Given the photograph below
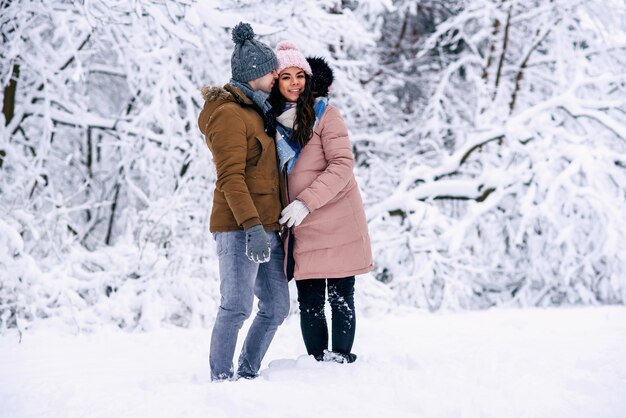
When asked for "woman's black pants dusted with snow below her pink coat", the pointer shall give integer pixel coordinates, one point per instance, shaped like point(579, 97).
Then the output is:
point(312, 298)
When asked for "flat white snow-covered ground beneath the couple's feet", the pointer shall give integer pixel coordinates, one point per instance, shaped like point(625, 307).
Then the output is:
point(499, 363)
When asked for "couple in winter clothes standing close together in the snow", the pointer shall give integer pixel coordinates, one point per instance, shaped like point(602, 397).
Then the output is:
point(277, 142)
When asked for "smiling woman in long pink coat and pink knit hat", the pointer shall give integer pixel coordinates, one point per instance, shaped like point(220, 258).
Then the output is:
point(328, 240)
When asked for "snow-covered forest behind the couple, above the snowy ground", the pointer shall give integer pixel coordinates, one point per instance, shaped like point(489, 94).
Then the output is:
point(489, 136)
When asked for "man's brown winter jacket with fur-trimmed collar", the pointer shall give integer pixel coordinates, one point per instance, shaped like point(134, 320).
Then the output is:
point(247, 187)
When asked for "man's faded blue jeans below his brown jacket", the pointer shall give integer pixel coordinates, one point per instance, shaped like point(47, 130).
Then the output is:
point(240, 280)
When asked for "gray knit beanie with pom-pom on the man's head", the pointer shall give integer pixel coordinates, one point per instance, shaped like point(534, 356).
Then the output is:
point(251, 59)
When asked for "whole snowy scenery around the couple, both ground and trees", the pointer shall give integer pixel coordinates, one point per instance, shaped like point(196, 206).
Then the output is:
point(106, 188)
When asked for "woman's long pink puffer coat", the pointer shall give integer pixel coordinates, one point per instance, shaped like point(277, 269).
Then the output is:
point(333, 240)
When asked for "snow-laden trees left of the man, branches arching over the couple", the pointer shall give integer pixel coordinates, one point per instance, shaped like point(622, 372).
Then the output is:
point(105, 180)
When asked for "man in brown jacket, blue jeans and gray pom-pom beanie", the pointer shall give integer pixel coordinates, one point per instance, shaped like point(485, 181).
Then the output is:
point(246, 208)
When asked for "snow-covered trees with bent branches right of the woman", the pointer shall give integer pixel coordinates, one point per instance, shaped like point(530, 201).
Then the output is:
point(506, 161)
